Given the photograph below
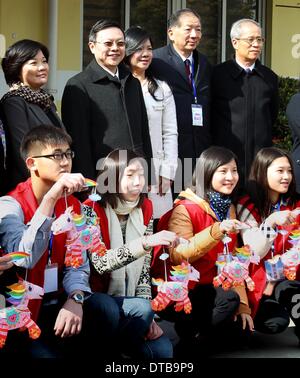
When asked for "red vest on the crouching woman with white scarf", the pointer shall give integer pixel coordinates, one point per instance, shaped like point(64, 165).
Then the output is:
point(100, 283)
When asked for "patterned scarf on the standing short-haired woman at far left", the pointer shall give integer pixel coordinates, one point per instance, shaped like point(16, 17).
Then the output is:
point(39, 97)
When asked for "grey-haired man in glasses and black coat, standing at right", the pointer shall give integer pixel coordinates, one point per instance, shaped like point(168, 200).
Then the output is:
point(244, 97)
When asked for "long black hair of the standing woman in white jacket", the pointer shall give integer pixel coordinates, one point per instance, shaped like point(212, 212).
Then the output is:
point(135, 36)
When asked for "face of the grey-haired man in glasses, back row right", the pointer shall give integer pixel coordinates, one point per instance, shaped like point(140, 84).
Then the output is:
point(244, 52)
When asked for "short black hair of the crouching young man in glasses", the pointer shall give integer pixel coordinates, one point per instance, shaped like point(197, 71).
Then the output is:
point(43, 136)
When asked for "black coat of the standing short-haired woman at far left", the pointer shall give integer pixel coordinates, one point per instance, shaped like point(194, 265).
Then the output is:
point(20, 116)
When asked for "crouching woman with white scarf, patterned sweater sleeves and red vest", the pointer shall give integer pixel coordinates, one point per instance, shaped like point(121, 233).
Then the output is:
point(122, 269)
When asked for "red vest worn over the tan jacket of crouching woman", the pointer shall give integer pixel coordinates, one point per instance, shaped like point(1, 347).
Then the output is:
point(206, 264)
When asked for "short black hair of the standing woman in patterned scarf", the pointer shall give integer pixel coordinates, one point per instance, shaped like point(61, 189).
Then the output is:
point(17, 54)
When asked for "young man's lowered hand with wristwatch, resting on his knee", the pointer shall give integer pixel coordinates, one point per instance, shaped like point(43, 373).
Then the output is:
point(69, 319)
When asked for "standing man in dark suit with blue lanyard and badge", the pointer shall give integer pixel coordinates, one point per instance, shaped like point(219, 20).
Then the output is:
point(188, 74)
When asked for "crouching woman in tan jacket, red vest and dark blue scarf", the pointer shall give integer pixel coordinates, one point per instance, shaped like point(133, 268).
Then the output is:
point(204, 215)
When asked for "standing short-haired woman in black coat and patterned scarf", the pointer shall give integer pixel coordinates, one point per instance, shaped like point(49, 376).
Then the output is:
point(26, 104)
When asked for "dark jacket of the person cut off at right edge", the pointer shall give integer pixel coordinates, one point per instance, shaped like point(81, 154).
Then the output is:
point(293, 115)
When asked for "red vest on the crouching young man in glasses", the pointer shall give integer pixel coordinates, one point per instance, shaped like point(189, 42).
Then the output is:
point(24, 195)
